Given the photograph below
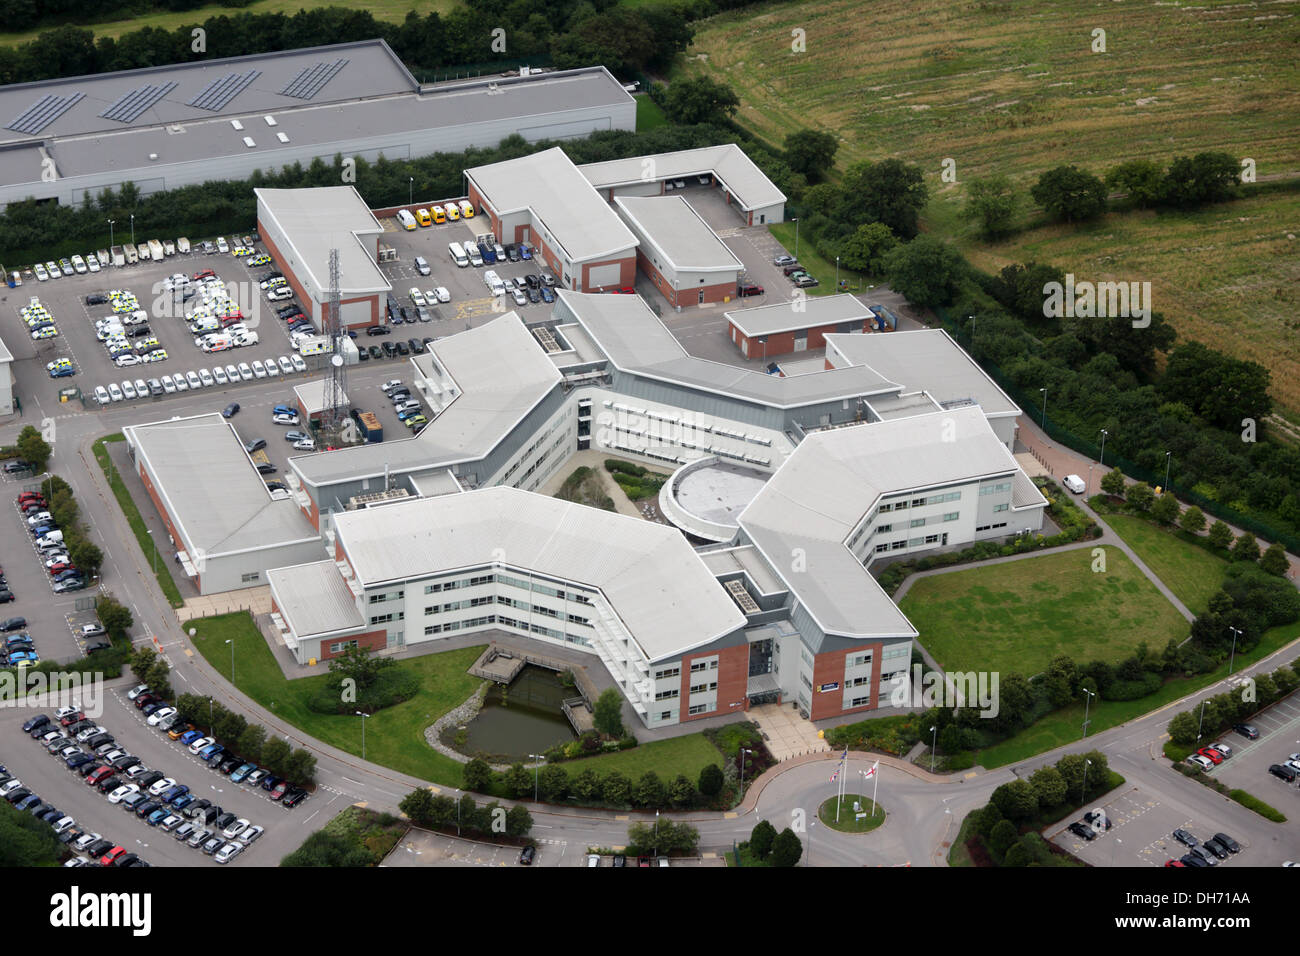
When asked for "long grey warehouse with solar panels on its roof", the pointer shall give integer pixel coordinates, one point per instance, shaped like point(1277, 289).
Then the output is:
point(223, 119)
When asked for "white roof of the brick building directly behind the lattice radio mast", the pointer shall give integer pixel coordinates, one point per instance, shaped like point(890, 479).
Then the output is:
point(319, 219)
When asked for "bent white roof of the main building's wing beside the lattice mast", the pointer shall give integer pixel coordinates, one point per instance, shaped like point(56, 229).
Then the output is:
point(501, 374)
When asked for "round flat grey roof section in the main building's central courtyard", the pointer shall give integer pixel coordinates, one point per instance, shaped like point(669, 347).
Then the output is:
point(705, 499)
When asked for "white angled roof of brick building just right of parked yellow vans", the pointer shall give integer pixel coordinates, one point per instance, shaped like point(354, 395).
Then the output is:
point(561, 200)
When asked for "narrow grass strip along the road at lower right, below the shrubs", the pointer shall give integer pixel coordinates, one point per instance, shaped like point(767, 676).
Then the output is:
point(1067, 725)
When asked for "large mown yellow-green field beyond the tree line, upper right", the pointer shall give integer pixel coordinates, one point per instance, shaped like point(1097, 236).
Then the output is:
point(1015, 88)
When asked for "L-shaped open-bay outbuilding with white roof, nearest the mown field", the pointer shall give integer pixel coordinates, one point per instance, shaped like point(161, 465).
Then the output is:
point(756, 198)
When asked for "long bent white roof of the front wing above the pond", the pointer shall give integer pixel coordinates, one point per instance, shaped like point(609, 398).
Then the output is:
point(655, 582)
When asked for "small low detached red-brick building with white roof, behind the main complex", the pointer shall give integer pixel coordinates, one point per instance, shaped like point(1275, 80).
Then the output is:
point(799, 326)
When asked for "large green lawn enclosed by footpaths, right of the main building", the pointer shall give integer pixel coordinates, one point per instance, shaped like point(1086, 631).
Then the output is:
point(1019, 616)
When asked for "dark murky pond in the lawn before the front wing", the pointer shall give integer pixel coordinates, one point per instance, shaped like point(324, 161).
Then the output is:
point(518, 720)
